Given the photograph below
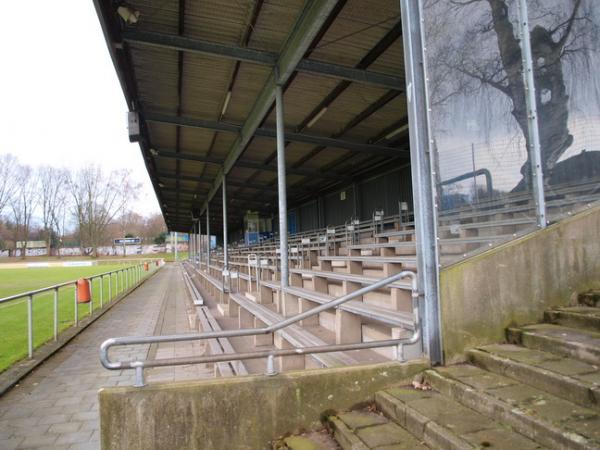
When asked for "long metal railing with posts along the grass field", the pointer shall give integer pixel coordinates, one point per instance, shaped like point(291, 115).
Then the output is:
point(129, 276)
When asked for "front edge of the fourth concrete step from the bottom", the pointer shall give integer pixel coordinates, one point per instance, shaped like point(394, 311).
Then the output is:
point(562, 386)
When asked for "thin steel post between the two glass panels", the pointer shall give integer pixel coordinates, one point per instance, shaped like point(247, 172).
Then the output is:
point(535, 153)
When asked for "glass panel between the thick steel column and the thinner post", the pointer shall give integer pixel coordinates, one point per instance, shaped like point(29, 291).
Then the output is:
point(478, 124)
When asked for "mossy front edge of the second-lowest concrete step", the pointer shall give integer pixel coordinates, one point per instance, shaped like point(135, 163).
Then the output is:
point(433, 434)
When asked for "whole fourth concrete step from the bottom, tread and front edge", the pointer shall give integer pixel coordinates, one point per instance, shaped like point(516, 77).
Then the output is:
point(567, 378)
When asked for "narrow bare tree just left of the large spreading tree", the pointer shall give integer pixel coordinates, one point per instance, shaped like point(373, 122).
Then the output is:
point(52, 184)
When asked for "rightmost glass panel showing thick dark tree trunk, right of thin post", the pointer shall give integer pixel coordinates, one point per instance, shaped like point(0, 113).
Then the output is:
point(565, 43)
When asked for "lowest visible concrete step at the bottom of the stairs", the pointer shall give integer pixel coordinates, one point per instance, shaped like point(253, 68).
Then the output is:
point(364, 430)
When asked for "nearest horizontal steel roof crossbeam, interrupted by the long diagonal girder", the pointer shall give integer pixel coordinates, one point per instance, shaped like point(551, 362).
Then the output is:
point(181, 43)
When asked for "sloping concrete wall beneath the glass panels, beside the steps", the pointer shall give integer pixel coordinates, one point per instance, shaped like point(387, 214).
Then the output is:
point(514, 283)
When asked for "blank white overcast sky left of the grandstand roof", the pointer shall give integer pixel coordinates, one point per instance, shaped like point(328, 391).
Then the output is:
point(60, 99)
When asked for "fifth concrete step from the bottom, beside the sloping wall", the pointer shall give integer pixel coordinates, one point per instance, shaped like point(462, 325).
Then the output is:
point(581, 344)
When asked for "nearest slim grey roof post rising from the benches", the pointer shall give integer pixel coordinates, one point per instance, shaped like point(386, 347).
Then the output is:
point(282, 194)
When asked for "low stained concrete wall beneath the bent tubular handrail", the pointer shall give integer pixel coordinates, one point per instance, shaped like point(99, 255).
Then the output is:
point(237, 413)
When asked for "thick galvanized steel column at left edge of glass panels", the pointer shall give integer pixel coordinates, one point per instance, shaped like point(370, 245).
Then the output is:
point(422, 178)
